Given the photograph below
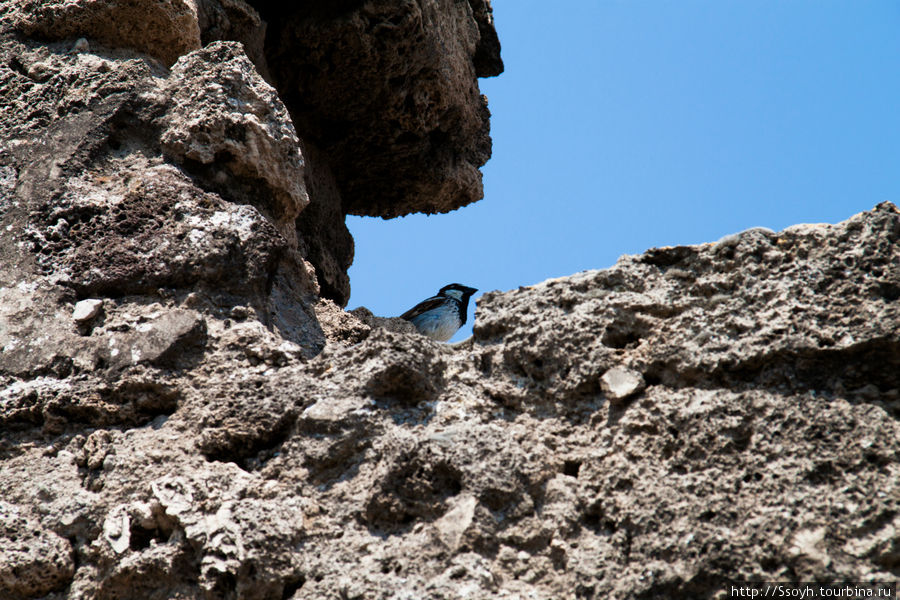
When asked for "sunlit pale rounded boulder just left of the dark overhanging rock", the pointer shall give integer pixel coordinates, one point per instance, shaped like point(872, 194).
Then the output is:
point(222, 112)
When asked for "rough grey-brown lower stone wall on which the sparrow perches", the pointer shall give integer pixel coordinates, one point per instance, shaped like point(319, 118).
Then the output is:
point(224, 463)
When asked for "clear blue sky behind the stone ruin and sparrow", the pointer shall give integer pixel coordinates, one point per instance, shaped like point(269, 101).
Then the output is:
point(623, 125)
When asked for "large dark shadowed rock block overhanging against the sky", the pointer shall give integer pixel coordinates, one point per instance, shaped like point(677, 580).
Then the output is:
point(389, 92)
